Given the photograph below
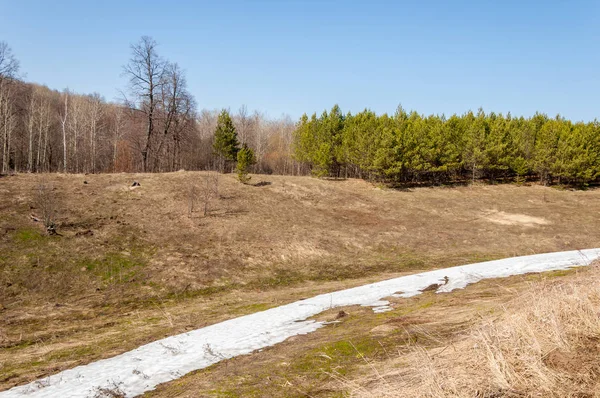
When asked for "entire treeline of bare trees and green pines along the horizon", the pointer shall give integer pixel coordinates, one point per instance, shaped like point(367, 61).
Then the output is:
point(157, 128)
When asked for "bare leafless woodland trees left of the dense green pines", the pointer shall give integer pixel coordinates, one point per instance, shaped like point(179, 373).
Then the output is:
point(157, 128)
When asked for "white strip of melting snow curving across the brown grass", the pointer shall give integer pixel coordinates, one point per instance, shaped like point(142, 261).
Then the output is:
point(142, 369)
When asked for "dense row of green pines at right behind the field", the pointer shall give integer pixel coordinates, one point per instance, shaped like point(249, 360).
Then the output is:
point(412, 148)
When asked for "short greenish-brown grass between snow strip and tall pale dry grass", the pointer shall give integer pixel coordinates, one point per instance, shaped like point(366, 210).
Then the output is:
point(364, 351)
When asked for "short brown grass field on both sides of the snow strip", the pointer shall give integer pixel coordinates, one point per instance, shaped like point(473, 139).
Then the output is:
point(135, 264)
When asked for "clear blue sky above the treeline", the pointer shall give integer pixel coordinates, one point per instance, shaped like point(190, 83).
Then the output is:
point(304, 56)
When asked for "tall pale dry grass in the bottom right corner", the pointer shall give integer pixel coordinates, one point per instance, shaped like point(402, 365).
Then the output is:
point(543, 343)
